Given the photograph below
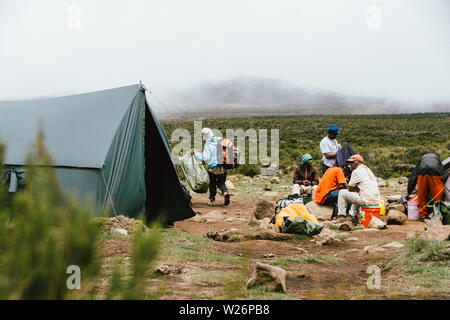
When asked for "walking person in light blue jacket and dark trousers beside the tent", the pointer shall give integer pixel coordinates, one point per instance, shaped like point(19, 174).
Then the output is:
point(217, 173)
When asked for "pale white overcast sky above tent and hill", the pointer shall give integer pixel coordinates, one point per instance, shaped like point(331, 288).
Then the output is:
point(397, 49)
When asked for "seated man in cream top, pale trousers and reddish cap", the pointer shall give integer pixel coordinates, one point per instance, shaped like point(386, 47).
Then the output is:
point(362, 189)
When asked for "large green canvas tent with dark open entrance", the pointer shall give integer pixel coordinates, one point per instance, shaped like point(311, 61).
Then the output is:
point(107, 144)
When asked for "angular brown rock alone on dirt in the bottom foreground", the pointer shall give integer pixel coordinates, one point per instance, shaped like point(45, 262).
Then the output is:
point(270, 277)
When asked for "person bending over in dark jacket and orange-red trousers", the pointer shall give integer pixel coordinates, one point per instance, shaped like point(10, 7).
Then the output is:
point(427, 175)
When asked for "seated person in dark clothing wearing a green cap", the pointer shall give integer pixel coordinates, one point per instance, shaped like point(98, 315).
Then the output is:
point(306, 177)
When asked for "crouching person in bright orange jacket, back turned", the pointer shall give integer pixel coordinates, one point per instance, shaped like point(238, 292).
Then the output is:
point(332, 182)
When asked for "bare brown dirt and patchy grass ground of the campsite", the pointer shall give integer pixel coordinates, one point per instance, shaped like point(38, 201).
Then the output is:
point(219, 270)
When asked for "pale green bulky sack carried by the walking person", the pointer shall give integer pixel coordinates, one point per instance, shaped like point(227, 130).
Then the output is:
point(196, 175)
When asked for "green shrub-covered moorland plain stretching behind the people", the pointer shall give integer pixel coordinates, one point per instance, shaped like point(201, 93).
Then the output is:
point(388, 142)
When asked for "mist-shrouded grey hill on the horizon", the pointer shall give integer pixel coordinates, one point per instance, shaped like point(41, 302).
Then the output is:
point(253, 96)
